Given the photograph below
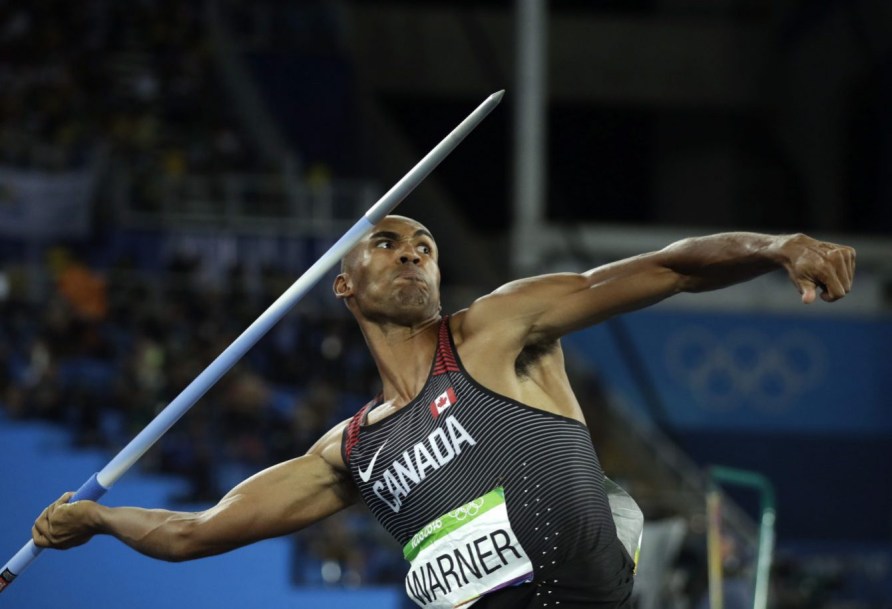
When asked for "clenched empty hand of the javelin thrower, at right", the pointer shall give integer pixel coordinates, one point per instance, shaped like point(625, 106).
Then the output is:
point(813, 265)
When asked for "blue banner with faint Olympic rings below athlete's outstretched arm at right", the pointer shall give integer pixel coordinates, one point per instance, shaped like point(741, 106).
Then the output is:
point(752, 372)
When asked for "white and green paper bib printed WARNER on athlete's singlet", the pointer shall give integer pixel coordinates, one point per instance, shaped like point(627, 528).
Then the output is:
point(464, 554)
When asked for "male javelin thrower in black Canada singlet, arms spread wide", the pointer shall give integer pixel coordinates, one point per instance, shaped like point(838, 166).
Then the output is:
point(475, 455)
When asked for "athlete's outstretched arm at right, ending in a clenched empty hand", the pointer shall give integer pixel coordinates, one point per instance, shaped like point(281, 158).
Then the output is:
point(547, 307)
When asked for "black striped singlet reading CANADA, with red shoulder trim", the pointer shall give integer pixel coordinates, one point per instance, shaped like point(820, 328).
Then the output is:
point(457, 441)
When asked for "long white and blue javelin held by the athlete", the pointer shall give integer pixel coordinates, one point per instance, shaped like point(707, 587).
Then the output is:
point(102, 481)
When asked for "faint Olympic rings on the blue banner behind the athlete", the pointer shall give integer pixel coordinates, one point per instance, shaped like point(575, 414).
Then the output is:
point(745, 367)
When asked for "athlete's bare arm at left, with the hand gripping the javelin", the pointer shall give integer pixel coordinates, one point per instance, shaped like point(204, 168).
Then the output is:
point(279, 500)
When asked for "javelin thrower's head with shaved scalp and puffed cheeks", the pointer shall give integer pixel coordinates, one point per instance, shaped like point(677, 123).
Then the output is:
point(393, 274)
